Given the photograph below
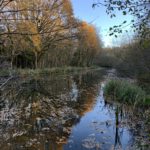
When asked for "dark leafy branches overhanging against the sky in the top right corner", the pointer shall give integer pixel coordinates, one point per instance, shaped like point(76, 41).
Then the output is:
point(139, 9)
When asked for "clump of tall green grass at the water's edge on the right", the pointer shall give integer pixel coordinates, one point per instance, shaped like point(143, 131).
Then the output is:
point(126, 92)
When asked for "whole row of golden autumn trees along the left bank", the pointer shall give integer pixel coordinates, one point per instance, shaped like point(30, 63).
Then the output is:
point(44, 34)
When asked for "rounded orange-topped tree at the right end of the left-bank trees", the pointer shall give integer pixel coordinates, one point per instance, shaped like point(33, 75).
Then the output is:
point(88, 45)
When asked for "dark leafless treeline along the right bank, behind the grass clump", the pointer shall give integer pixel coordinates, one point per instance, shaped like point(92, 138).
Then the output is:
point(130, 60)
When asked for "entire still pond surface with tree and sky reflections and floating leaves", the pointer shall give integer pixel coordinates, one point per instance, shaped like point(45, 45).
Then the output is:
point(66, 112)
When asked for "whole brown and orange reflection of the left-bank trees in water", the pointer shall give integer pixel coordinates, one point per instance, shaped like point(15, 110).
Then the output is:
point(44, 110)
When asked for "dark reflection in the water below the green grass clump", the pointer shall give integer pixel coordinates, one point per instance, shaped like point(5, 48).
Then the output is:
point(133, 119)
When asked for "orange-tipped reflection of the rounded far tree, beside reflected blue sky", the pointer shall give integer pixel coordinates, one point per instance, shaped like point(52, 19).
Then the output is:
point(88, 86)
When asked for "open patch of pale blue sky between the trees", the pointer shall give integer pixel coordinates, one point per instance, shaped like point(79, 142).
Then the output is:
point(98, 17)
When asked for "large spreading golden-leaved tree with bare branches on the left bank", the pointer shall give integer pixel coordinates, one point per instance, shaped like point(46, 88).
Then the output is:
point(41, 24)
